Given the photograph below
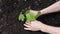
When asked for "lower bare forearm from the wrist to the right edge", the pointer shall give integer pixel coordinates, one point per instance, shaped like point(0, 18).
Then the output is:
point(50, 29)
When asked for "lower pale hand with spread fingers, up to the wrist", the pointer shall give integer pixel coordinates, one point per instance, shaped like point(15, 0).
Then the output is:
point(33, 26)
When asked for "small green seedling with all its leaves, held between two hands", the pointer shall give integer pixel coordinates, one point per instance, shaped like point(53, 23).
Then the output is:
point(29, 16)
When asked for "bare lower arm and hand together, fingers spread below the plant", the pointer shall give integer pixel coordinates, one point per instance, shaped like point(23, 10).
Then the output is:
point(37, 25)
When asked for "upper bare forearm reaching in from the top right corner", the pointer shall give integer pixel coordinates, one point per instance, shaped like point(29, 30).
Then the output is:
point(53, 8)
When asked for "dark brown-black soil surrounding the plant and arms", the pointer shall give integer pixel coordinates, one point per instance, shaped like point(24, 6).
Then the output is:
point(10, 9)
